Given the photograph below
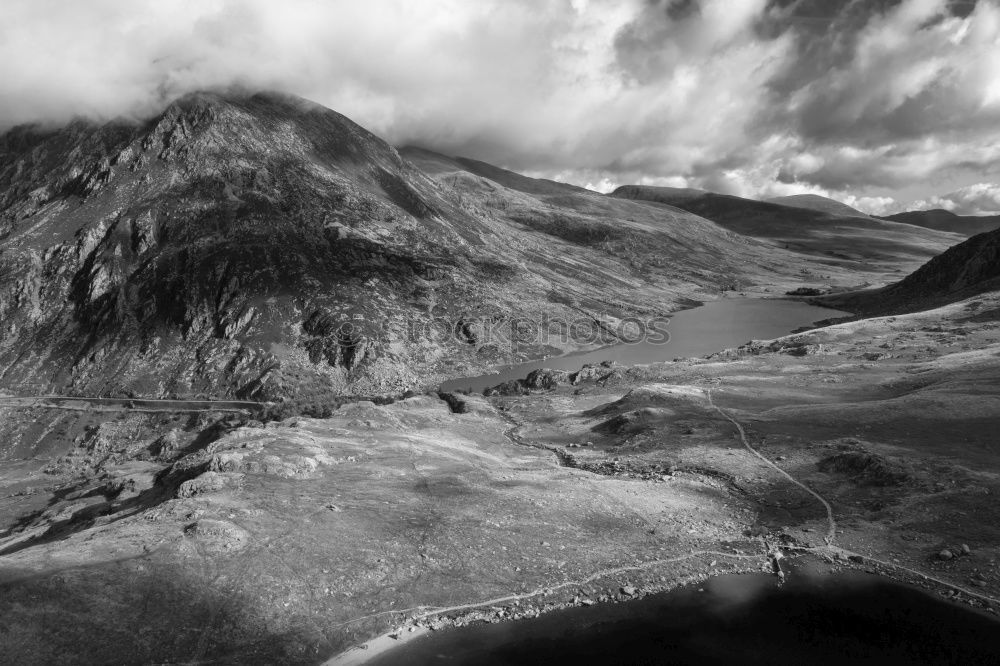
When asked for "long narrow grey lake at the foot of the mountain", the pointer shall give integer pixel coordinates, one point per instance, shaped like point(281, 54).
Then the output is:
point(703, 330)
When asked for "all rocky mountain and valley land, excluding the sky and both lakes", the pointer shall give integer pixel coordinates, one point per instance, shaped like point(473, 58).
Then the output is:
point(190, 471)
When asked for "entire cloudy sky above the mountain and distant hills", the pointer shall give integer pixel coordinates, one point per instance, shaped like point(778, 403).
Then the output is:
point(883, 104)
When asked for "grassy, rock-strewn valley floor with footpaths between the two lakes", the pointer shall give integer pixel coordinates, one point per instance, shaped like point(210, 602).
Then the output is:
point(869, 444)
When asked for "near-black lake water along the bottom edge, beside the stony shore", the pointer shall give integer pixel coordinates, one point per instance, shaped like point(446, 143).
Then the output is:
point(831, 619)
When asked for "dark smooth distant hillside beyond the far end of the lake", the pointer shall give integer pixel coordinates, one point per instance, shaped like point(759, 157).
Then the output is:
point(862, 242)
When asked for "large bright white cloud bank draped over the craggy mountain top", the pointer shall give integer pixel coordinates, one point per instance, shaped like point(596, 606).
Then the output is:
point(532, 85)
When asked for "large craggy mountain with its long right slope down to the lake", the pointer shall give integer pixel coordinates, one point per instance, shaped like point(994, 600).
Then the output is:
point(264, 246)
